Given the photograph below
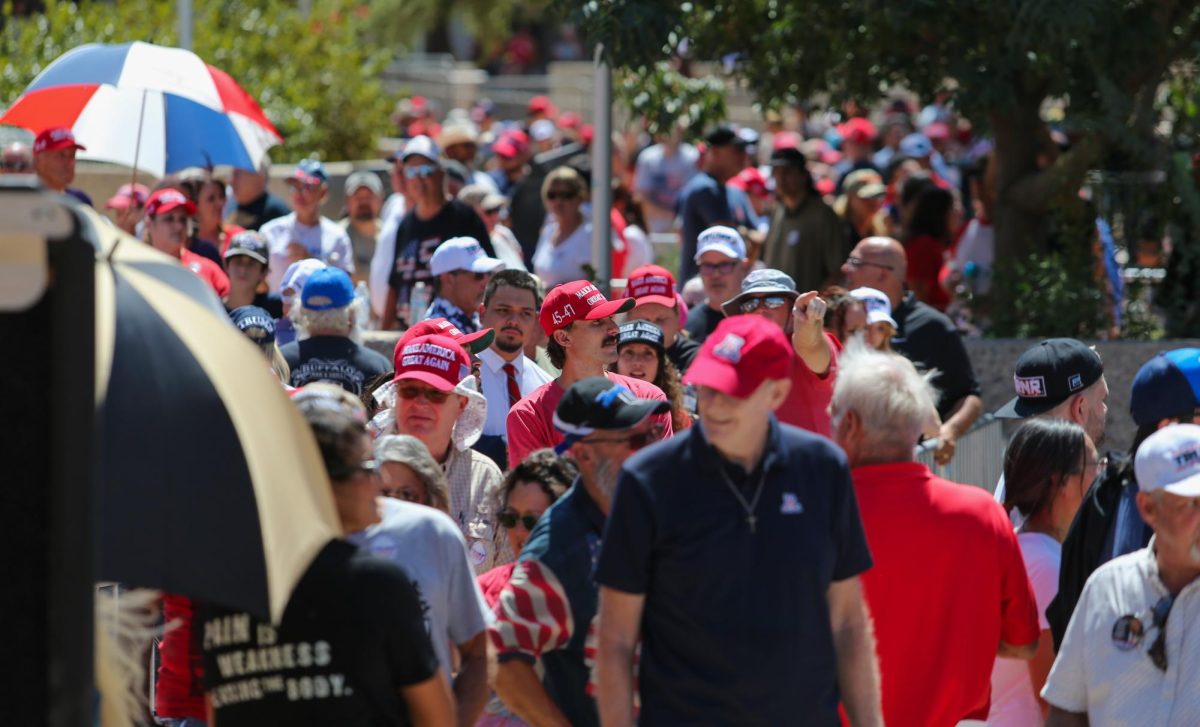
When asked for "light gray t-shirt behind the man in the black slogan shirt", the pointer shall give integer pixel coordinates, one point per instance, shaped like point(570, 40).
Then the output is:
point(429, 546)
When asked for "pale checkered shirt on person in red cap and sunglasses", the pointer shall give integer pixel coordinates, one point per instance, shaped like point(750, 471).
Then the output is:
point(475, 488)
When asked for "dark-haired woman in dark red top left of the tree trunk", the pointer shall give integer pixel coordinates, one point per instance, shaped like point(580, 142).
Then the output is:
point(928, 236)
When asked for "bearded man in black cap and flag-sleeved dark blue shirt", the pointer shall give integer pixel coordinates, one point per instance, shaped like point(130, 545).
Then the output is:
point(547, 611)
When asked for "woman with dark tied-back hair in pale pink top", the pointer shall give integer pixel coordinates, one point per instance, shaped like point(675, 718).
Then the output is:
point(1048, 467)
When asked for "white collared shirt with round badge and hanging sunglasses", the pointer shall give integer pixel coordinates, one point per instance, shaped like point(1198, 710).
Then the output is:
point(1117, 687)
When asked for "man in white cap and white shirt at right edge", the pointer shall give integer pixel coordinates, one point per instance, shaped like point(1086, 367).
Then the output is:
point(1125, 660)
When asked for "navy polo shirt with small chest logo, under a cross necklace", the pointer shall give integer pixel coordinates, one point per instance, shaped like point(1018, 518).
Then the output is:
point(736, 624)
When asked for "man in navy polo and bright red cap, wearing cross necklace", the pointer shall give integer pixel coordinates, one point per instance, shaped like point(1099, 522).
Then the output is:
point(734, 552)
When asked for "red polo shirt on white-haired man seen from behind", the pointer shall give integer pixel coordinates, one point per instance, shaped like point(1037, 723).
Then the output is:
point(947, 587)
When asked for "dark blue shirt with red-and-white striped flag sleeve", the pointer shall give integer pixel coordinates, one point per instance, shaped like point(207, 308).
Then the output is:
point(548, 611)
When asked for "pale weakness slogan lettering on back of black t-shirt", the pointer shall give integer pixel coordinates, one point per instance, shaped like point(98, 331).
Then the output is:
point(254, 666)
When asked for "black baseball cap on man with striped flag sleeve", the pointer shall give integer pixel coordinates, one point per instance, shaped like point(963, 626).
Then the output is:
point(597, 405)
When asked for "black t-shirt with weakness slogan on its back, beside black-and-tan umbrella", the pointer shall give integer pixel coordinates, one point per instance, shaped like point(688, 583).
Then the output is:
point(351, 639)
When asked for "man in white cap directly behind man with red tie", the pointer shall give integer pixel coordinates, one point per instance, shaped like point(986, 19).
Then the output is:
point(461, 271)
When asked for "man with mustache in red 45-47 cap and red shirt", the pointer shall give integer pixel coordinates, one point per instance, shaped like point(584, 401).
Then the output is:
point(583, 344)
